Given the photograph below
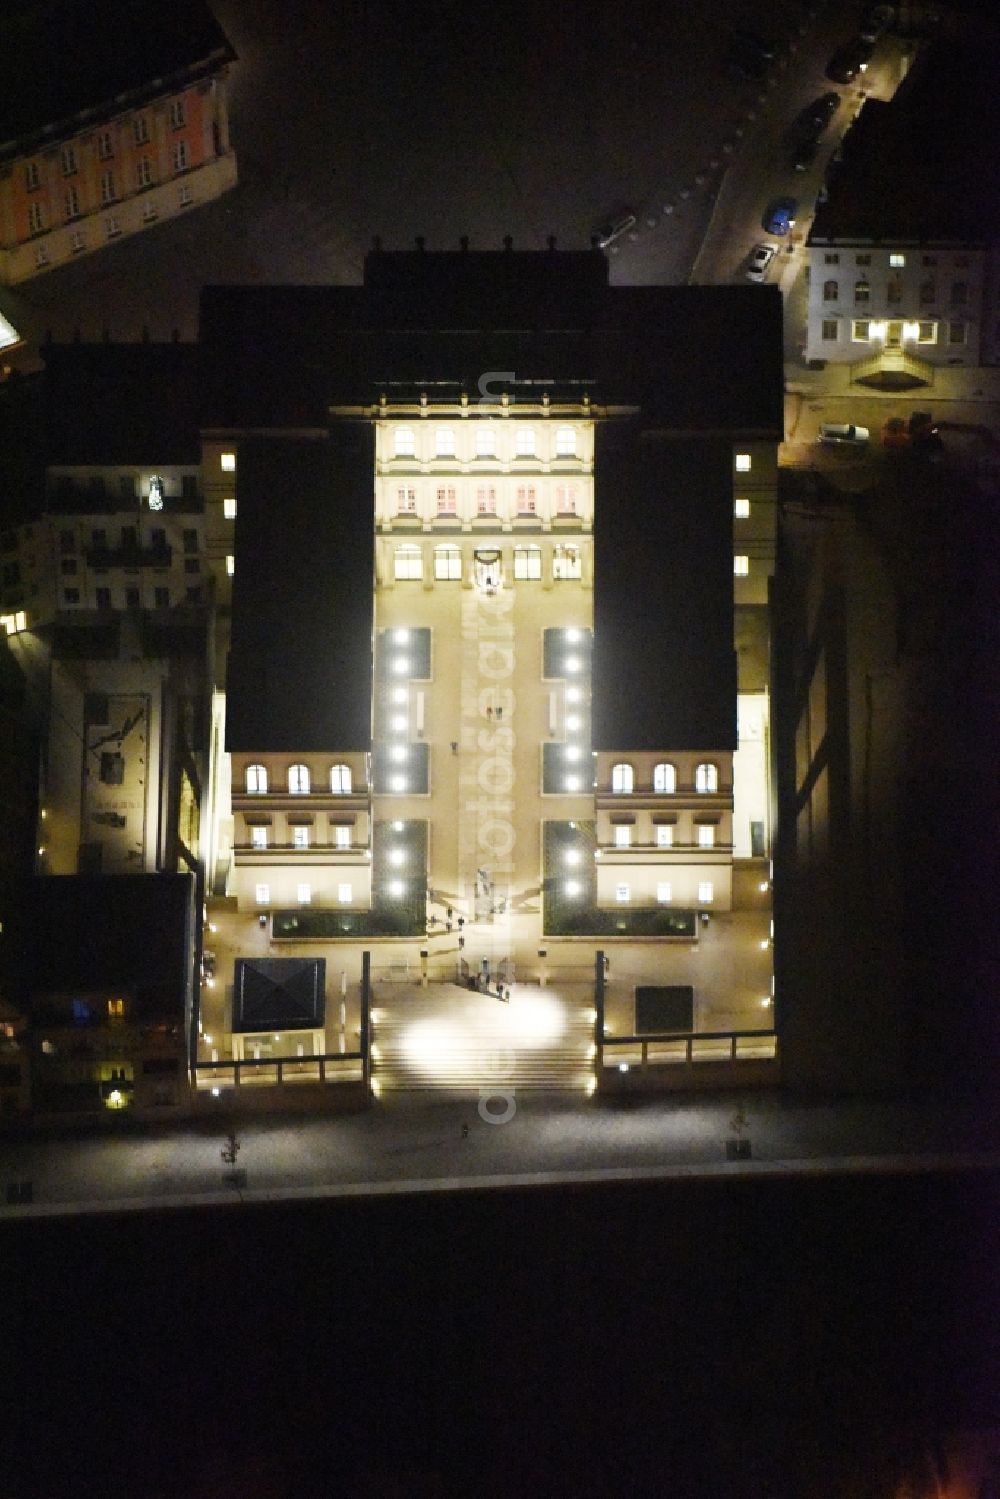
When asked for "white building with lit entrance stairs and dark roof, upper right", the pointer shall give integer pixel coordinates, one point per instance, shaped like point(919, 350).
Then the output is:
point(905, 251)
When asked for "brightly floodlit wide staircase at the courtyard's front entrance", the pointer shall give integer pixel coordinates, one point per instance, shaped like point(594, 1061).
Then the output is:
point(455, 1040)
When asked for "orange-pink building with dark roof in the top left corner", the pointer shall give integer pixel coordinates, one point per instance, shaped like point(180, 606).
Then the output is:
point(94, 152)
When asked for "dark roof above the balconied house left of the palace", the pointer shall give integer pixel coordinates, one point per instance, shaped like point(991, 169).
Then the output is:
point(122, 404)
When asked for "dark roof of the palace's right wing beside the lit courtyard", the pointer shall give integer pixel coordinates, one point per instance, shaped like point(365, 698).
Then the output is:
point(665, 669)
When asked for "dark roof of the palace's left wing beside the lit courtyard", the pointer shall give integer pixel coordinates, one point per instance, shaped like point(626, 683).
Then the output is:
point(301, 660)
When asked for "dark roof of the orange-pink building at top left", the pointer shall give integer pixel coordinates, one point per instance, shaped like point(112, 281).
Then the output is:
point(62, 58)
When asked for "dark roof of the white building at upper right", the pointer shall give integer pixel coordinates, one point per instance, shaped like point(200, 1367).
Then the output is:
point(923, 166)
